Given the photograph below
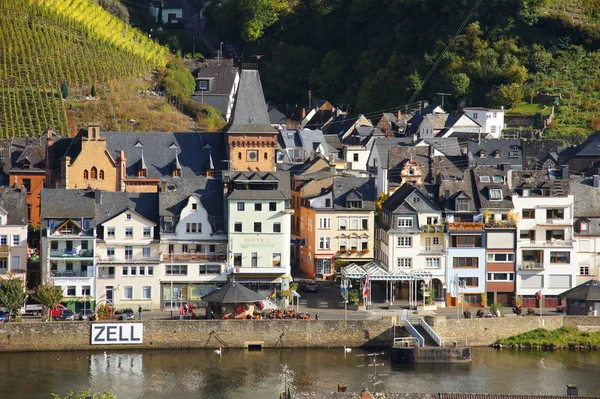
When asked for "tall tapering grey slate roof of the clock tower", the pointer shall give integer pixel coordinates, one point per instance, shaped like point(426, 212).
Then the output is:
point(250, 110)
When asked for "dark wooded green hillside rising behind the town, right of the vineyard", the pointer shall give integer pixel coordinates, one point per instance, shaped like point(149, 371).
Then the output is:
point(373, 55)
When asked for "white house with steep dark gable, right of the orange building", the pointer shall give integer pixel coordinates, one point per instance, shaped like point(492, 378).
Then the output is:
point(410, 237)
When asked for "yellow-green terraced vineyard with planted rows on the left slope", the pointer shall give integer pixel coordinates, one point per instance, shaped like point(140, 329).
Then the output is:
point(44, 43)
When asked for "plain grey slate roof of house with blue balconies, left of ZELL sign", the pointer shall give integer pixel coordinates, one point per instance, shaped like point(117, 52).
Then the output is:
point(62, 204)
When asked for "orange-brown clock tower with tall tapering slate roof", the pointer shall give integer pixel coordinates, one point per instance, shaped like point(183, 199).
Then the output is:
point(251, 140)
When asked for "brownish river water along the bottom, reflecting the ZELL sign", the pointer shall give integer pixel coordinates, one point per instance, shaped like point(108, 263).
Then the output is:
point(262, 375)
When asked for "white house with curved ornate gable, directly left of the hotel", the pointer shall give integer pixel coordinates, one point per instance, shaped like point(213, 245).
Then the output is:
point(192, 239)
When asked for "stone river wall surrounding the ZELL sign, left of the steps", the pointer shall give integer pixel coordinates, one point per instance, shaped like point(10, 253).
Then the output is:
point(164, 334)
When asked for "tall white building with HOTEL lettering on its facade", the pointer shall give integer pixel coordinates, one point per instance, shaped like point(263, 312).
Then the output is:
point(258, 214)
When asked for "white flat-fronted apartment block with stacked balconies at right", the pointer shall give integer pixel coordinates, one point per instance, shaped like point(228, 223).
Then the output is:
point(545, 246)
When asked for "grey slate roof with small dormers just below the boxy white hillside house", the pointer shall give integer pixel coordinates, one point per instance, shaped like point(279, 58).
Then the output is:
point(495, 152)
